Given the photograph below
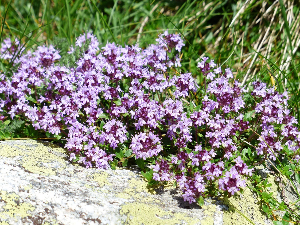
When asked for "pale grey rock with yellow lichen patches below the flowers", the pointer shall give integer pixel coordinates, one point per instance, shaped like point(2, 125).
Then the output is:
point(38, 185)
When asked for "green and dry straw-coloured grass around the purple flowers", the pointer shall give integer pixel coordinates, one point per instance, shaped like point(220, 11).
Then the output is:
point(257, 39)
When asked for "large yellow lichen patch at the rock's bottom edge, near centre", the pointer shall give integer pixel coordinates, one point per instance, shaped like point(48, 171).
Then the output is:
point(141, 213)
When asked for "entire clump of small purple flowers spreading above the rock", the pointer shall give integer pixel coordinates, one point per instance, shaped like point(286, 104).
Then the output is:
point(119, 100)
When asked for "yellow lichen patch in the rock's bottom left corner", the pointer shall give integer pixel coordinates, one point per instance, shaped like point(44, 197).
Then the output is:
point(13, 207)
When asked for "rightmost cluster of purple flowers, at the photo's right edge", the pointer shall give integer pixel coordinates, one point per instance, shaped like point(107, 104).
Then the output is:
point(277, 124)
